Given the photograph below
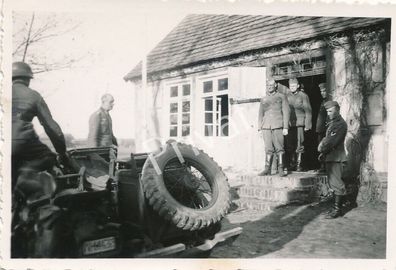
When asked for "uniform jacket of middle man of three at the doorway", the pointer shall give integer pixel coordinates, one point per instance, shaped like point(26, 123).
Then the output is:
point(300, 110)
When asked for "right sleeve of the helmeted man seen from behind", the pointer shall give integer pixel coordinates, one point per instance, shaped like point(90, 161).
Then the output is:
point(52, 129)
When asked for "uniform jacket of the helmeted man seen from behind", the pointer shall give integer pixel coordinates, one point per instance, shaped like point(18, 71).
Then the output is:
point(27, 104)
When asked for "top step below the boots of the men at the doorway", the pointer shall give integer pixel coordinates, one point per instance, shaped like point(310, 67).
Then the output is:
point(295, 180)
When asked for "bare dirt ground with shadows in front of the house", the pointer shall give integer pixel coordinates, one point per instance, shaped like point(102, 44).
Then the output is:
point(301, 231)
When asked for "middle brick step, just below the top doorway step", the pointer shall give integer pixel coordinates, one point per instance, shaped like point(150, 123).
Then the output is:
point(281, 195)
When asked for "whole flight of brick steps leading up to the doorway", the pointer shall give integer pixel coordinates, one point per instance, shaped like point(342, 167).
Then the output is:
point(267, 192)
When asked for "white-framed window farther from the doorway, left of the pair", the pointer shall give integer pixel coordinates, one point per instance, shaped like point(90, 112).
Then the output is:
point(179, 110)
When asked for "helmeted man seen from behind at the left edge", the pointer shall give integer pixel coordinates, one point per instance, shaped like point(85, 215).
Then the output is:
point(27, 149)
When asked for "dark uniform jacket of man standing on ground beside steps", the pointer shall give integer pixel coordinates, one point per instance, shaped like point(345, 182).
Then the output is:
point(333, 144)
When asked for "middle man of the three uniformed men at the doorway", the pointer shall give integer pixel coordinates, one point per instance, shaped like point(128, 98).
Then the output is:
point(300, 121)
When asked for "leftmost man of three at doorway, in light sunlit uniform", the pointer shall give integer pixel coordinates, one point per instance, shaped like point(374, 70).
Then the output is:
point(273, 121)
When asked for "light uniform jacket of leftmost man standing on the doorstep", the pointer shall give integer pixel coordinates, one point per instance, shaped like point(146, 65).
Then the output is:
point(273, 111)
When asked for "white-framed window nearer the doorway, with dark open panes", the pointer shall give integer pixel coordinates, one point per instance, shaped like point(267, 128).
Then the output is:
point(215, 107)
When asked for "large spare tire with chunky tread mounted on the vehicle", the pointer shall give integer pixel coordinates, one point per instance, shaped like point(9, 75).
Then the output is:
point(168, 207)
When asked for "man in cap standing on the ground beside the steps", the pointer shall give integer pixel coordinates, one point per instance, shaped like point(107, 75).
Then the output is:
point(332, 152)
